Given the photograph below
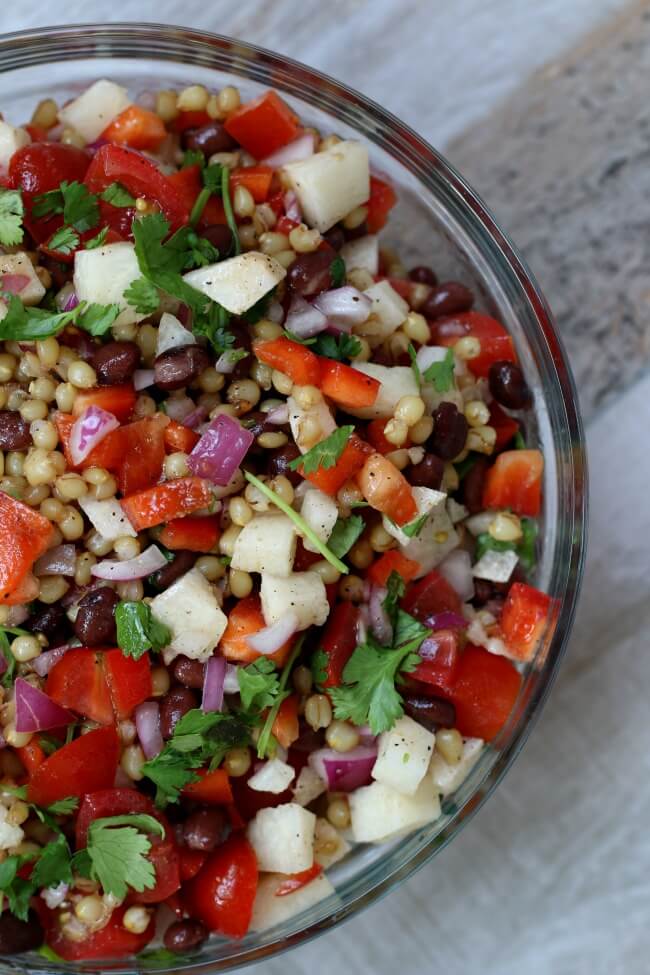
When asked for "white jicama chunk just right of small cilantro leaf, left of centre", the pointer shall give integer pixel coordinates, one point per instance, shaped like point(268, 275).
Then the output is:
point(191, 611)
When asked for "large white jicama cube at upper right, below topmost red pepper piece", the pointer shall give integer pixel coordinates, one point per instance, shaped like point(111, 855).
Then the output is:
point(330, 184)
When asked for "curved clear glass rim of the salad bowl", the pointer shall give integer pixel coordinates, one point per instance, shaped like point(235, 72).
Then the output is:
point(31, 48)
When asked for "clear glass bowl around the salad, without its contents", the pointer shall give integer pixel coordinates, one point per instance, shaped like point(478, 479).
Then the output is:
point(439, 221)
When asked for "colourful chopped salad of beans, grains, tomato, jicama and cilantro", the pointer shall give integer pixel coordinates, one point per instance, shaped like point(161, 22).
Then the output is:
point(268, 509)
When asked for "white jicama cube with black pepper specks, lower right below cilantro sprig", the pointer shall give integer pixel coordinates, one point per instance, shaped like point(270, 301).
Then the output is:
point(404, 755)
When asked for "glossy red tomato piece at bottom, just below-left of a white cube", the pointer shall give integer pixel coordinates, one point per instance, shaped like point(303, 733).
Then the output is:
point(223, 892)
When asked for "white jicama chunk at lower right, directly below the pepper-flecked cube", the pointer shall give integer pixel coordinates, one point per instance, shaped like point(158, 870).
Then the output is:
point(379, 812)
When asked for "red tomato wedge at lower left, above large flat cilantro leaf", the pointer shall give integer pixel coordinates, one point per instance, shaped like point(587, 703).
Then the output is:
point(85, 765)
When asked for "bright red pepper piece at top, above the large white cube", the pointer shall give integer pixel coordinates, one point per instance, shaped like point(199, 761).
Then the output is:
point(263, 125)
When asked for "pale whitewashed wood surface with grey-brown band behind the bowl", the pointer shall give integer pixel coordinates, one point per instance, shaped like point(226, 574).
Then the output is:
point(551, 878)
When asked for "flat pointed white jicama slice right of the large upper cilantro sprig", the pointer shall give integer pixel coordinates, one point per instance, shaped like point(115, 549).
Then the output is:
point(238, 282)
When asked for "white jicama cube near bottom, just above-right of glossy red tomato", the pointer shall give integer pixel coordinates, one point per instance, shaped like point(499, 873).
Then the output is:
point(283, 838)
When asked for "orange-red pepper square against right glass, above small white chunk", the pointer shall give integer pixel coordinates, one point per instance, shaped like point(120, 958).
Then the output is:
point(515, 481)
